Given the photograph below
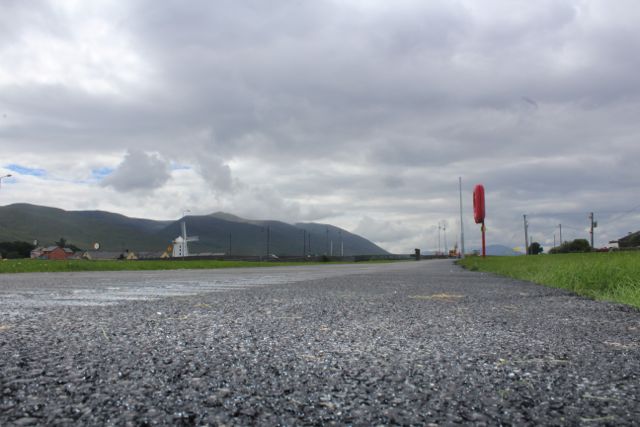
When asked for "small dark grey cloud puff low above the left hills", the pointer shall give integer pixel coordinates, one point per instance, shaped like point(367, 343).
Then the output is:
point(139, 171)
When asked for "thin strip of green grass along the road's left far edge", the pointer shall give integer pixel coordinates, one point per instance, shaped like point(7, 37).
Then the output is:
point(41, 266)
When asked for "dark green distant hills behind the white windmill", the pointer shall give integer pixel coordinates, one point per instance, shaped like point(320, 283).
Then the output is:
point(217, 232)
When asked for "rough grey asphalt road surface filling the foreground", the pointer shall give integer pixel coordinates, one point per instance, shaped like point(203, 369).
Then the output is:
point(413, 343)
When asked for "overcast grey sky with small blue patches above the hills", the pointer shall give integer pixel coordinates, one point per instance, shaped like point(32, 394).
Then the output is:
point(358, 113)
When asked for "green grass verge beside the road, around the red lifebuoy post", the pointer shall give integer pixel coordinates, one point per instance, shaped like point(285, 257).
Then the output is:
point(611, 276)
